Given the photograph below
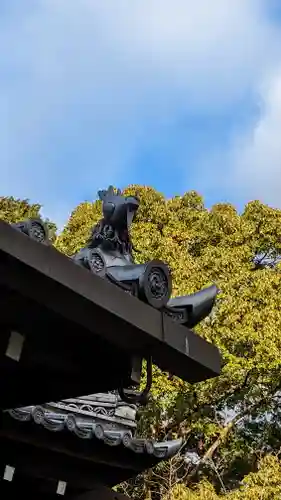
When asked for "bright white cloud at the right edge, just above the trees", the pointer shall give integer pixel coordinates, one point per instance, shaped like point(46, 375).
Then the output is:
point(256, 159)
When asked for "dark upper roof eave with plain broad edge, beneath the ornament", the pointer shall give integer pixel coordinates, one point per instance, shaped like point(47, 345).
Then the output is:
point(79, 331)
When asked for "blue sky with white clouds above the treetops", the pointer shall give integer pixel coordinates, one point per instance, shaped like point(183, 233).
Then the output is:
point(176, 94)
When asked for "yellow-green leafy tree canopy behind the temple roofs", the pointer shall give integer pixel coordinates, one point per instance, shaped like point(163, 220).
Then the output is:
point(230, 424)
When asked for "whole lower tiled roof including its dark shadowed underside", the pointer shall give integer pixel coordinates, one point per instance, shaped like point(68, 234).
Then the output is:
point(79, 441)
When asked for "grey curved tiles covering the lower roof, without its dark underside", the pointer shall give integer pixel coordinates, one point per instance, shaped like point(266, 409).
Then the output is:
point(80, 418)
